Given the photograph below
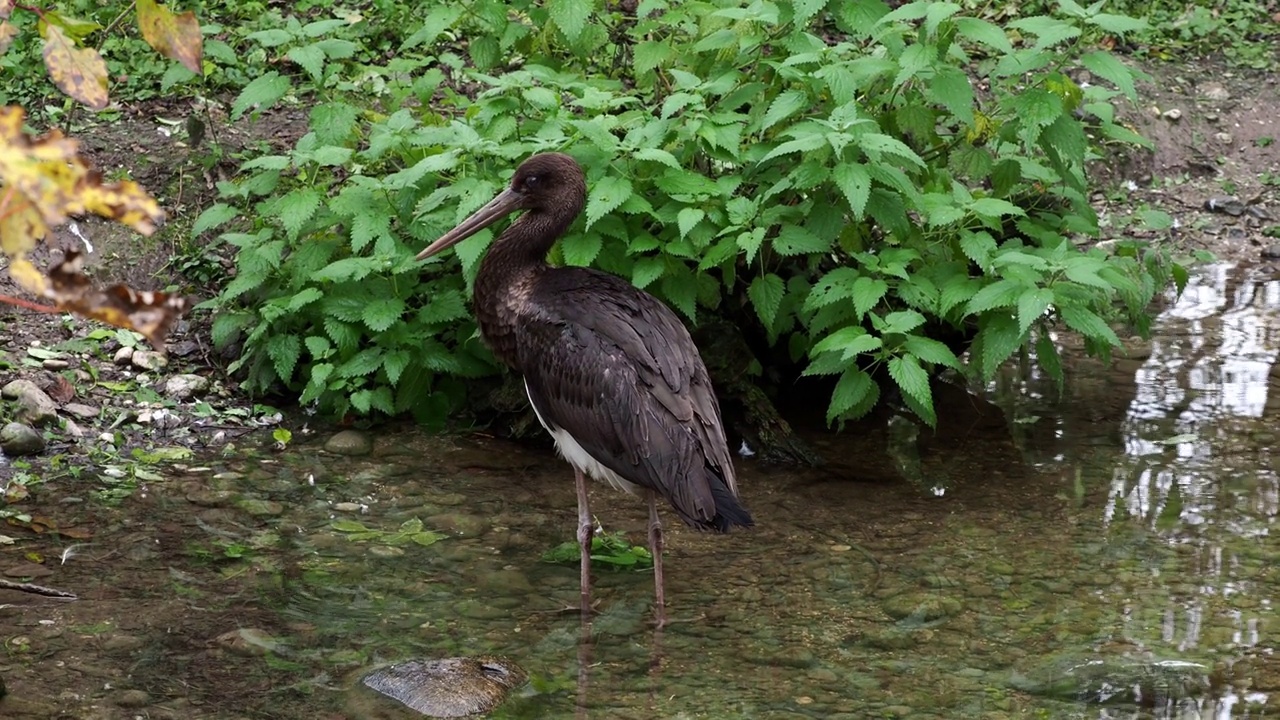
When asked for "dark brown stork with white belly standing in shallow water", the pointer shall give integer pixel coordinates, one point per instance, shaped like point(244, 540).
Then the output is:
point(611, 372)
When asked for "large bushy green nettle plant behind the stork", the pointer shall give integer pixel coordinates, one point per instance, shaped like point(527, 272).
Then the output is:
point(877, 190)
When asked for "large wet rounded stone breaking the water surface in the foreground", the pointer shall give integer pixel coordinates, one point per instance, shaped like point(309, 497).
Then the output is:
point(454, 687)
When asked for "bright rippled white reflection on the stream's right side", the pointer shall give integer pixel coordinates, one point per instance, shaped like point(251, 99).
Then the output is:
point(1212, 498)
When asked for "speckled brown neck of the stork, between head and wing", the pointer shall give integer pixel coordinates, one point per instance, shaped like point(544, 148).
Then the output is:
point(509, 272)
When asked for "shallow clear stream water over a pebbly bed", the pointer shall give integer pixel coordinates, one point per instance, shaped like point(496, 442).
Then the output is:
point(1110, 558)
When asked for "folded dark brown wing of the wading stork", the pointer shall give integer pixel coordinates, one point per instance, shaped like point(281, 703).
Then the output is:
point(618, 371)
